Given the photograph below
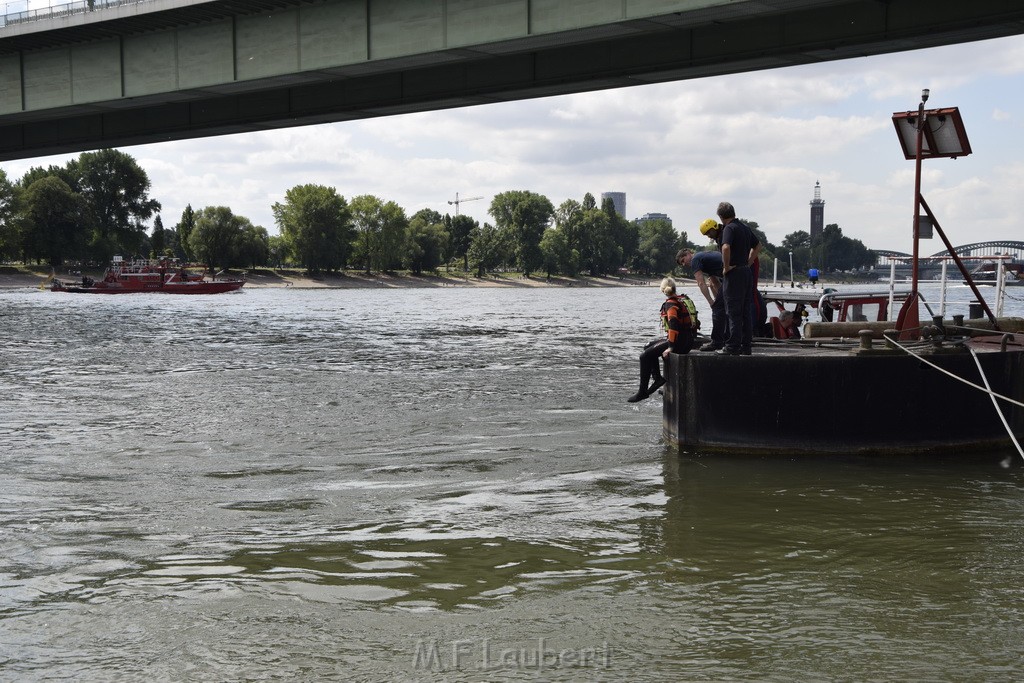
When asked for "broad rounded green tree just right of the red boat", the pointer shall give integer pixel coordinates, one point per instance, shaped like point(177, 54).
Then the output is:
point(317, 223)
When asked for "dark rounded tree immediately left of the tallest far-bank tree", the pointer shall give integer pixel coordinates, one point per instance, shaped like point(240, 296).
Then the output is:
point(53, 215)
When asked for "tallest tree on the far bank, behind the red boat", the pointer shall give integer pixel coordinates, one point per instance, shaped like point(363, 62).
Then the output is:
point(117, 191)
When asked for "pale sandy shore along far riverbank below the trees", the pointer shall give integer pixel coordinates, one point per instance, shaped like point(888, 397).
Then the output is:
point(12, 278)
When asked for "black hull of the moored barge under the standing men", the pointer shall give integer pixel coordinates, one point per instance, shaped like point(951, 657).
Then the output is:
point(820, 402)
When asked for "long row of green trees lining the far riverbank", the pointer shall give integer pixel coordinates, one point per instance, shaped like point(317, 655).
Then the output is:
point(99, 205)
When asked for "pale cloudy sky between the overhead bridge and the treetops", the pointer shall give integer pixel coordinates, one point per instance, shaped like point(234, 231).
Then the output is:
point(760, 141)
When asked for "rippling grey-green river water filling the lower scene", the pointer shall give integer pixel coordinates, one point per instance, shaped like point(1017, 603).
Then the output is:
point(449, 485)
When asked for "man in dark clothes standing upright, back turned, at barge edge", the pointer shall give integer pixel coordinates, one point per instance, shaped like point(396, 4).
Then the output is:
point(740, 249)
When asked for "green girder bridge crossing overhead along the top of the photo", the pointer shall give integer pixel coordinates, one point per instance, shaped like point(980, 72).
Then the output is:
point(177, 69)
